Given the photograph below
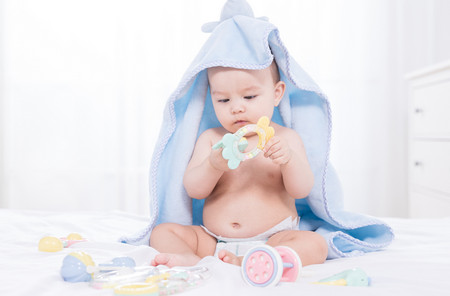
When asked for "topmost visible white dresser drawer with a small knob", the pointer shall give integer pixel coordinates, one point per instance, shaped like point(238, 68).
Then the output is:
point(430, 109)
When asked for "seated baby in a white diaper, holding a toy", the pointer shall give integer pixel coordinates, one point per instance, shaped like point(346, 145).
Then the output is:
point(254, 203)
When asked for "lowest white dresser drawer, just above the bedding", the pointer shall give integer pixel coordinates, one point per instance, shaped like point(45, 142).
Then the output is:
point(424, 205)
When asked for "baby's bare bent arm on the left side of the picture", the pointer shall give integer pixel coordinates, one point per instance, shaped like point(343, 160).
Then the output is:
point(204, 169)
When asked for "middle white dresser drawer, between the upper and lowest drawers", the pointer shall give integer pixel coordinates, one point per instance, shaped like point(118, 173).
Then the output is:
point(430, 164)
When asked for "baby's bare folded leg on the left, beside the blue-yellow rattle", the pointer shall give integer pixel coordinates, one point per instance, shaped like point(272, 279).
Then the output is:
point(180, 245)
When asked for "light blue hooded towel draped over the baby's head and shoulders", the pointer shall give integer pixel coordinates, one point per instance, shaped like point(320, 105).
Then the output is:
point(239, 40)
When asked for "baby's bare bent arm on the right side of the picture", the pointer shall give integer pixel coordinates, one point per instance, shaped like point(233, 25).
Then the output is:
point(290, 154)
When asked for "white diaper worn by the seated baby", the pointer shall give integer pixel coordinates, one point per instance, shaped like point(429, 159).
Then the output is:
point(240, 246)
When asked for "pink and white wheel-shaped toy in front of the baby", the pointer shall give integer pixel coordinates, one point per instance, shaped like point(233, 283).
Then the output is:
point(265, 266)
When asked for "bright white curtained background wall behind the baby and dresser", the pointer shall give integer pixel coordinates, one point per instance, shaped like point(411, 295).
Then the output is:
point(85, 84)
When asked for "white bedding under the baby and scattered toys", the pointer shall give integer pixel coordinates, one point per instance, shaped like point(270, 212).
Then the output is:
point(417, 263)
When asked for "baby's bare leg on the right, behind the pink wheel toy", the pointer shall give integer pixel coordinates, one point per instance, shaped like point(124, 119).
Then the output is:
point(310, 246)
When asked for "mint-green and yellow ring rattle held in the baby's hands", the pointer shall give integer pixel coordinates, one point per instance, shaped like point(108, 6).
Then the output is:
point(234, 144)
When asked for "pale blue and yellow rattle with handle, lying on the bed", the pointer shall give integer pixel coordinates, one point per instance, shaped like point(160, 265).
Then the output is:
point(79, 266)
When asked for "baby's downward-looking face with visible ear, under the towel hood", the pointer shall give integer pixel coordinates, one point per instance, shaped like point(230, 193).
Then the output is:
point(241, 97)
